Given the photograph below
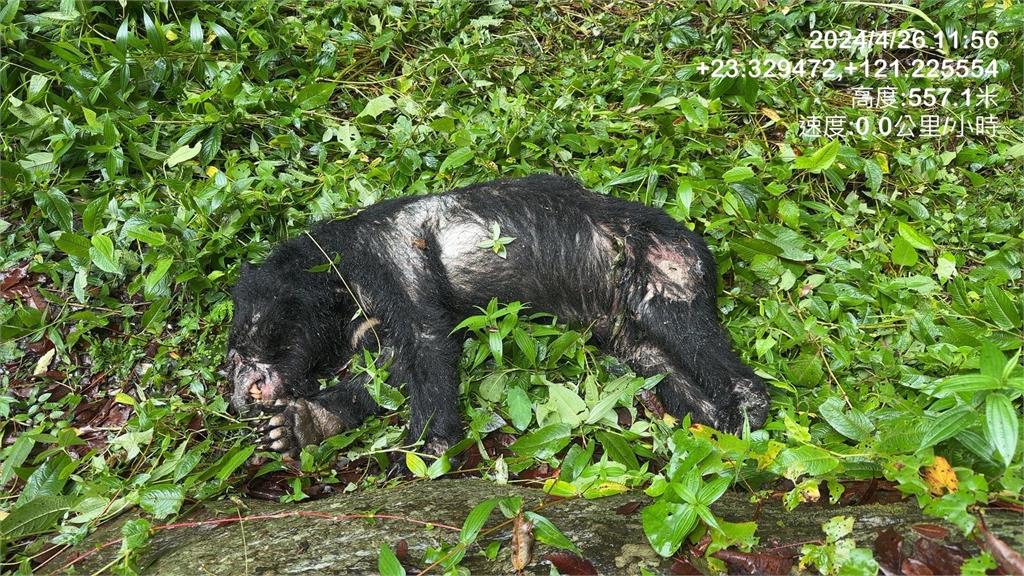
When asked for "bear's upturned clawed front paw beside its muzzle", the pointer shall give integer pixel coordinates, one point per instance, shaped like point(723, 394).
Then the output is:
point(295, 424)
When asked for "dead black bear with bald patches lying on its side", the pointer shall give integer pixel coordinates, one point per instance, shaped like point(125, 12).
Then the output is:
point(408, 271)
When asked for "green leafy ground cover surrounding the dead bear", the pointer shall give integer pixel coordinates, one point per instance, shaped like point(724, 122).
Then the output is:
point(150, 148)
